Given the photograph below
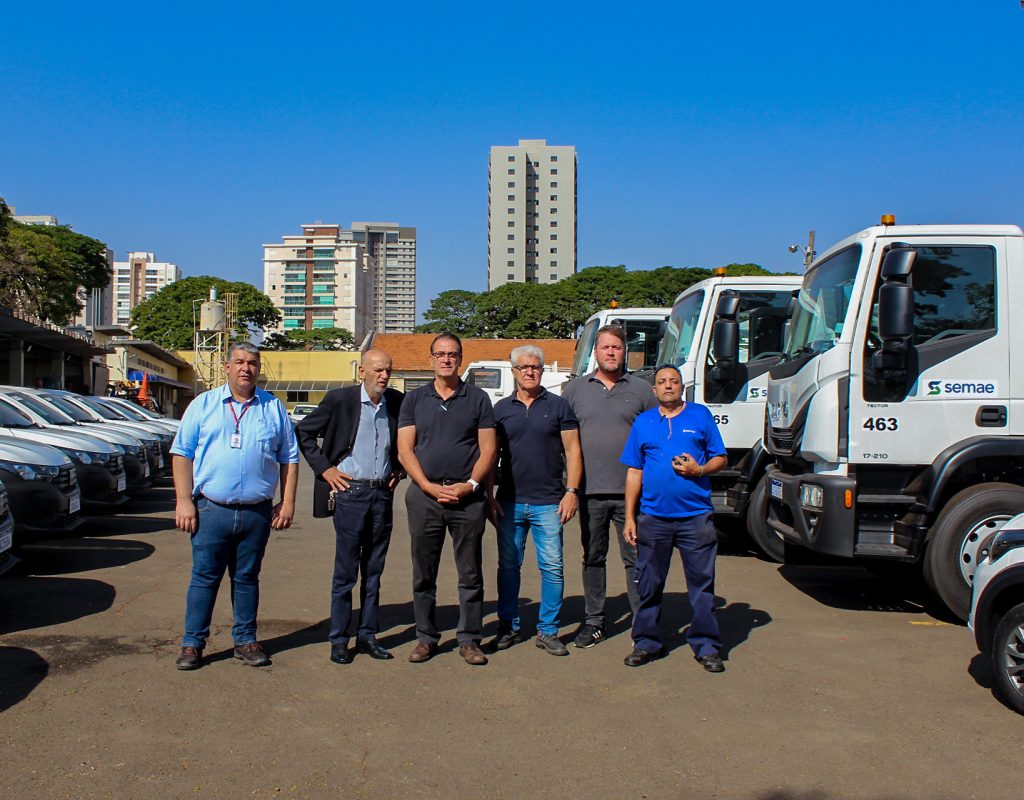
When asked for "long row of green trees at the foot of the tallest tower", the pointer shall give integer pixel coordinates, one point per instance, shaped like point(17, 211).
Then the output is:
point(558, 311)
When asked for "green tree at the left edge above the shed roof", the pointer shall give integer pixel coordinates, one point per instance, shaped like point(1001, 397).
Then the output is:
point(42, 267)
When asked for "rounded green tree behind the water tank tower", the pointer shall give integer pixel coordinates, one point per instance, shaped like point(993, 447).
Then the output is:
point(167, 318)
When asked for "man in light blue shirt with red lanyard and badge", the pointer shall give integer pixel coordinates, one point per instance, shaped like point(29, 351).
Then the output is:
point(235, 445)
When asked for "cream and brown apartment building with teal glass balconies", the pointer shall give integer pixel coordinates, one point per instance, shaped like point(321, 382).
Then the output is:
point(321, 279)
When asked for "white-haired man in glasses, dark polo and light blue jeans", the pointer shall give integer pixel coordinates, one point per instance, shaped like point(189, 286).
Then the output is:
point(538, 438)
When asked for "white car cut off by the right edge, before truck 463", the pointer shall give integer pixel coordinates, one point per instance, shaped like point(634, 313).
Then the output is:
point(998, 611)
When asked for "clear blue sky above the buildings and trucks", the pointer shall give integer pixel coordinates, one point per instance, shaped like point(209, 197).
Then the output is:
point(707, 133)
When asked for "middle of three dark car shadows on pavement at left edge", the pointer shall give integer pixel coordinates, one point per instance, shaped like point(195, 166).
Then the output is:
point(38, 603)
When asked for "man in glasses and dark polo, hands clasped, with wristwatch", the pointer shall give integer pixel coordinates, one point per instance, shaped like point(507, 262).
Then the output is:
point(447, 444)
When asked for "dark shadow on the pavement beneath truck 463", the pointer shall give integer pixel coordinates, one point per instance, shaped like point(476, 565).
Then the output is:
point(852, 588)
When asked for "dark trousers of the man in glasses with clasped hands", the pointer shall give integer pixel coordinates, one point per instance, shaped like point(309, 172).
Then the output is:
point(429, 522)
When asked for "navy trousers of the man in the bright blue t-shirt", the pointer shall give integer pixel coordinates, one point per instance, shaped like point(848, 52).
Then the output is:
point(697, 541)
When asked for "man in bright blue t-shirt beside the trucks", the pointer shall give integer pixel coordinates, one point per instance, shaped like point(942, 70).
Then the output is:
point(670, 453)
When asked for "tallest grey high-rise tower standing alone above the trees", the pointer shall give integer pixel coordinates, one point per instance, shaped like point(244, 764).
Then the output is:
point(532, 214)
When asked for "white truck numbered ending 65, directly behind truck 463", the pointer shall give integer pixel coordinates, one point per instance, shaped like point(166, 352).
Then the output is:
point(724, 333)
